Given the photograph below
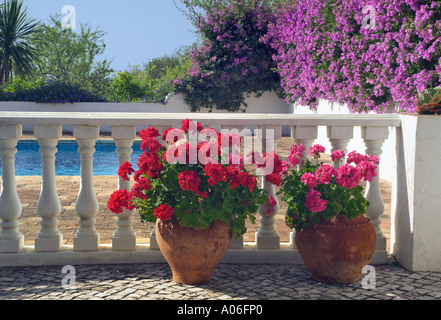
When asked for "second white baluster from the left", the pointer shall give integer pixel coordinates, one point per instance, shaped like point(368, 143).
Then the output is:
point(49, 239)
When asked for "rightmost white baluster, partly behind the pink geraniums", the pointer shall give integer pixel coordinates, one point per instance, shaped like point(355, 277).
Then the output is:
point(374, 138)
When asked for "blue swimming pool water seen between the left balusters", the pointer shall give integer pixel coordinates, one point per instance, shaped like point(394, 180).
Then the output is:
point(67, 161)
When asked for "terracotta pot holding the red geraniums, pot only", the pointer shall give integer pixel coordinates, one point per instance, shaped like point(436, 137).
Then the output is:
point(192, 255)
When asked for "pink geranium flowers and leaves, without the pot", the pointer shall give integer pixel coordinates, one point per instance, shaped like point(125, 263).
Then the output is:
point(315, 191)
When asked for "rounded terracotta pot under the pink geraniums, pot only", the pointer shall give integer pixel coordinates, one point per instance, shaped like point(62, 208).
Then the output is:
point(336, 251)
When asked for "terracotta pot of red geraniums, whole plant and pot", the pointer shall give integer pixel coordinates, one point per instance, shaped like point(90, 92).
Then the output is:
point(197, 192)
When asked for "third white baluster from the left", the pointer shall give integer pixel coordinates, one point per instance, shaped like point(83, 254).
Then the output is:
point(86, 238)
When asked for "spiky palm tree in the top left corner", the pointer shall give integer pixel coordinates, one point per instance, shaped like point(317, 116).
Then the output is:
point(16, 29)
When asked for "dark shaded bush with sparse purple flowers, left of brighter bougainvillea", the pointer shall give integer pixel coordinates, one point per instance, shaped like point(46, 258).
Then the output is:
point(232, 61)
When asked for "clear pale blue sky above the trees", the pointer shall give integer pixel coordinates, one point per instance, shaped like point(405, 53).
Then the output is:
point(137, 30)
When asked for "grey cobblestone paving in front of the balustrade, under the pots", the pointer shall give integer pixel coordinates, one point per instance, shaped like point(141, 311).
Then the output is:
point(229, 282)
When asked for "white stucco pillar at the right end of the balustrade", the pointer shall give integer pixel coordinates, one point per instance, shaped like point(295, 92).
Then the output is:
point(416, 200)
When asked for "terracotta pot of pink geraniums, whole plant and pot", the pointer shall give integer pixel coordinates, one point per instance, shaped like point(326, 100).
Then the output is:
point(326, 208)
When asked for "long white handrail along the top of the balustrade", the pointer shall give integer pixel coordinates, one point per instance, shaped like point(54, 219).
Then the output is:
point(165, 119)
